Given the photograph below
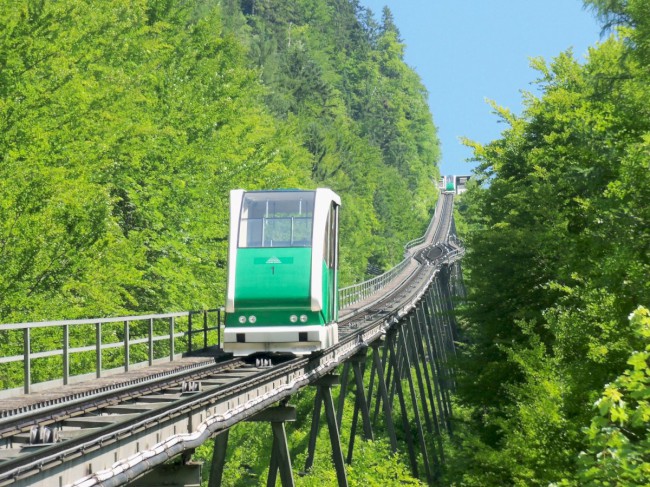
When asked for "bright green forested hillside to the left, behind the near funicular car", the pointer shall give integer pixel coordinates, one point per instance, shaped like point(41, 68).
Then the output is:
point(124, 124)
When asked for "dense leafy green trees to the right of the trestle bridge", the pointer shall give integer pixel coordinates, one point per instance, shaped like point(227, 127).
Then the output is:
point(554, 376)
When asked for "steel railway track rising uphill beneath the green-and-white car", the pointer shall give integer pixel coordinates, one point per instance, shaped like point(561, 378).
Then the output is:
point(49, 435)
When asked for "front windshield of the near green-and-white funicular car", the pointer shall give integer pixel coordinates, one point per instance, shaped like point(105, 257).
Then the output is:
point(276, 219)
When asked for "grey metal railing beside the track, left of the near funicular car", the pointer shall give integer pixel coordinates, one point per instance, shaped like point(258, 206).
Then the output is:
point(100, 345)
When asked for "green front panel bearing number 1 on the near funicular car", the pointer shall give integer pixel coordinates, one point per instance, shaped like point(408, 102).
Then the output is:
point(273, 277)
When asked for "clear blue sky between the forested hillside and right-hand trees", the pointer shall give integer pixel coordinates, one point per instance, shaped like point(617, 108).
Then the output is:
point(467, 51)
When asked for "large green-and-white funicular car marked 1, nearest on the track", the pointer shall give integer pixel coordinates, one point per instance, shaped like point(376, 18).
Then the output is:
point(282, 291)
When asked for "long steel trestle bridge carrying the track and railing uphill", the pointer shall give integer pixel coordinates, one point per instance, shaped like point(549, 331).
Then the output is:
point(397, 329)
